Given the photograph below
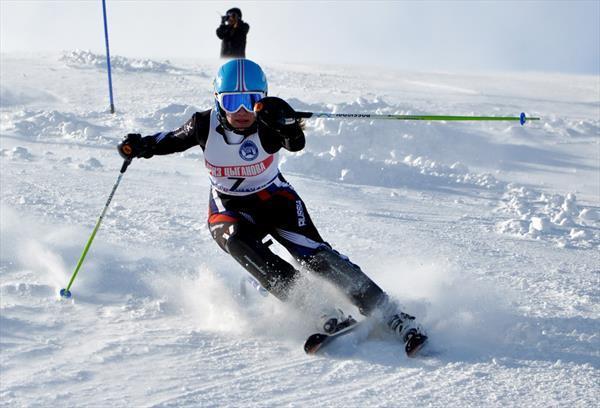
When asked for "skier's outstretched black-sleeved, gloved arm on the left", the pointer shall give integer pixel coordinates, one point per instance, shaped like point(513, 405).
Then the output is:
point(193, 132)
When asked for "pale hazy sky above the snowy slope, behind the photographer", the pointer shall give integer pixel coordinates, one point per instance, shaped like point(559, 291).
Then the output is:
point(450, 36)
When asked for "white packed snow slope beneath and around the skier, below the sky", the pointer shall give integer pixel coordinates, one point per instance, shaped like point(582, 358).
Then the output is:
point(488, 232)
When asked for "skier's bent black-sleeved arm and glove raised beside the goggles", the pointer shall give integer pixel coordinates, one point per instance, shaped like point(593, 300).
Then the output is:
point(278, 125)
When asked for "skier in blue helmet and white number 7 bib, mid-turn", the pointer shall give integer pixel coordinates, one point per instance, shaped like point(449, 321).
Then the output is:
point(250, 198)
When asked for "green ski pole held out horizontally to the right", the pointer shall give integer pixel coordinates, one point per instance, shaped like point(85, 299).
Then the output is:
point(521, 118)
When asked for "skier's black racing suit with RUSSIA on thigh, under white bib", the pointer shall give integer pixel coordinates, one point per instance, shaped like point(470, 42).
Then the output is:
point(239, 225)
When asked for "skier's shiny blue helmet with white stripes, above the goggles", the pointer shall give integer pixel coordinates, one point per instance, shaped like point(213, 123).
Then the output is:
point(238, 75)
